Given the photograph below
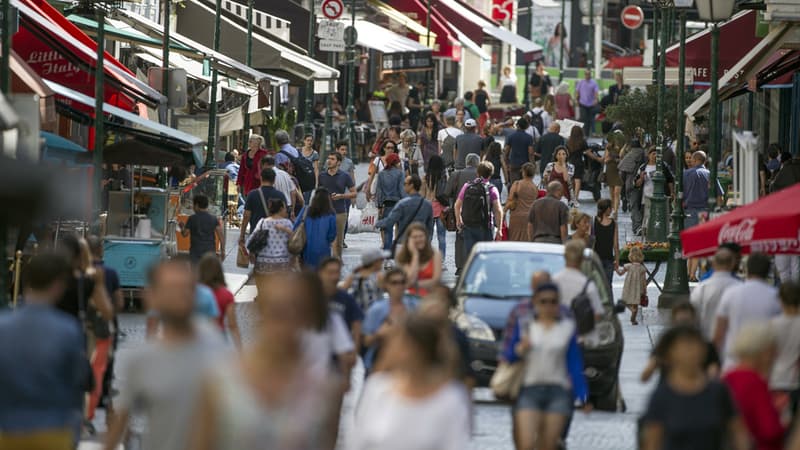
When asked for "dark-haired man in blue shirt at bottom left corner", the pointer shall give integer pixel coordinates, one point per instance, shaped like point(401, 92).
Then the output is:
point(44, 370)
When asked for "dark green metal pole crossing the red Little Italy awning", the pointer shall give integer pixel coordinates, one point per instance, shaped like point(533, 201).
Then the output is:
point(99, 134)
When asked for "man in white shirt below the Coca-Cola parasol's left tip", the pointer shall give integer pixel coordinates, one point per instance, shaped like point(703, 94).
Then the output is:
point(707, 295)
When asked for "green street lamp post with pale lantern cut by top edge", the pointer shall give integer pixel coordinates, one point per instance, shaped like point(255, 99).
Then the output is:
point(714, 11)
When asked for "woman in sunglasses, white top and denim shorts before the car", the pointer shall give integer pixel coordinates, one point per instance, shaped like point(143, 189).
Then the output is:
point(553, 371)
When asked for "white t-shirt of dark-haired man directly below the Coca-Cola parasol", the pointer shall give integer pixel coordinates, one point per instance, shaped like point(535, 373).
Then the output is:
point(752, 301)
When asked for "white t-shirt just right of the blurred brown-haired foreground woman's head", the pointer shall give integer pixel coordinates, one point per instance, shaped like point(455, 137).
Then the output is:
point(319, 347)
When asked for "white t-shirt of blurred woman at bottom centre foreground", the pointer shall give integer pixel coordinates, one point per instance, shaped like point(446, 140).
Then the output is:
point(386, 420)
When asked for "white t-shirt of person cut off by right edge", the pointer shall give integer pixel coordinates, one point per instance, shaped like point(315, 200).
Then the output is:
point(785, 371)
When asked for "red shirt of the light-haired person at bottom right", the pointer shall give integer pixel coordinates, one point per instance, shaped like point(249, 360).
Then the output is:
point(751, 394)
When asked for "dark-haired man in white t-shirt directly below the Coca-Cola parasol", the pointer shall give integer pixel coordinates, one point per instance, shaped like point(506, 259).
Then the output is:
point(752, 301)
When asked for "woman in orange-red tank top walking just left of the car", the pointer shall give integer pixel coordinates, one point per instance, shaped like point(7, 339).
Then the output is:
point(421, 262)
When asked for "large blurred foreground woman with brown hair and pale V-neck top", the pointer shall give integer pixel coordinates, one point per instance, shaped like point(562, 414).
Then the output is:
point(270, 397)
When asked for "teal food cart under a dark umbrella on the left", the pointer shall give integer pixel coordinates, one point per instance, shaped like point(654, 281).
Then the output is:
point(140, 229)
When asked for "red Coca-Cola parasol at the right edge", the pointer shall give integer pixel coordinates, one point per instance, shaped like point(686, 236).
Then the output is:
point(770, 225)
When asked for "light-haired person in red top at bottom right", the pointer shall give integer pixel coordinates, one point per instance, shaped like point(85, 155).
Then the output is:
point(754, 348)
